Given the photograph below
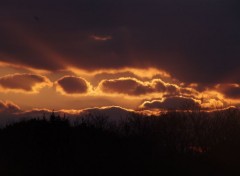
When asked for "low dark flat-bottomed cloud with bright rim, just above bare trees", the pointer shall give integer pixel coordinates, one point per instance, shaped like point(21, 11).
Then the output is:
point(172, 103)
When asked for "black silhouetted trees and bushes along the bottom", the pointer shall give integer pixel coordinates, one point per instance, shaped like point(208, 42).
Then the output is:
point(172, 144)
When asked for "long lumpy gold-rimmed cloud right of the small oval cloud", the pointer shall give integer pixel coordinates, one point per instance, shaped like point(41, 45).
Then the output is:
point(135, 87)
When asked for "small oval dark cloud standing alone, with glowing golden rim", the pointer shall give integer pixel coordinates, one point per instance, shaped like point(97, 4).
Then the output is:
point(73, 85)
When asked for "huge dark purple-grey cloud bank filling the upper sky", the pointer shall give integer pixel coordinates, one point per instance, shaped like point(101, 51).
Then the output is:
point(196, 41)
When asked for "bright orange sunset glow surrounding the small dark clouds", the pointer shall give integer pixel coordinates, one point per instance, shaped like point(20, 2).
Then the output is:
point(155, 84)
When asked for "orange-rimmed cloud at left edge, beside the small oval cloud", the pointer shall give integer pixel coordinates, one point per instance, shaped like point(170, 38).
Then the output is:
point(24, 82)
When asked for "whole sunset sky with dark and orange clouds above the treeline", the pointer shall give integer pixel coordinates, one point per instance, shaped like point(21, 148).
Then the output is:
point(142, 55)
